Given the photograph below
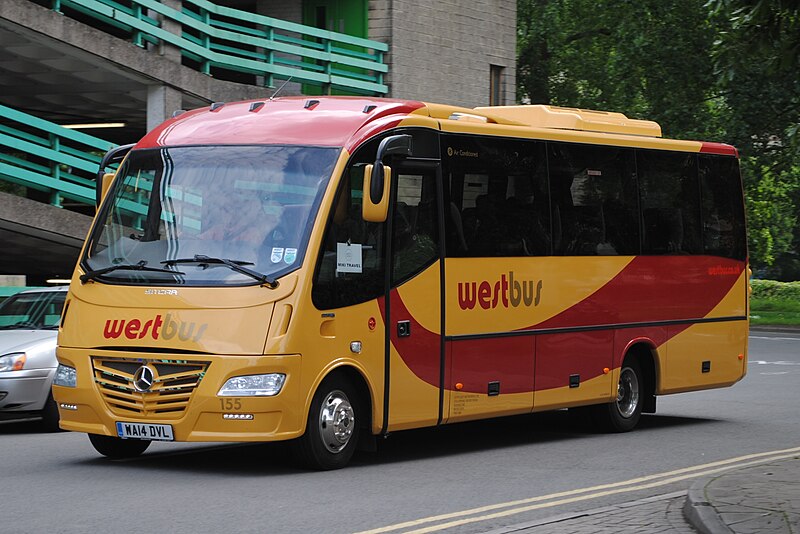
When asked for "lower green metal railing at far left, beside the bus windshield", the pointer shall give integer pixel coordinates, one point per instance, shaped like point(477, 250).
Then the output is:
point(44, 156)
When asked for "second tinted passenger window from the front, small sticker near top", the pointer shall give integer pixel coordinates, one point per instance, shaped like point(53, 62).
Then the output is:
point(594, 196)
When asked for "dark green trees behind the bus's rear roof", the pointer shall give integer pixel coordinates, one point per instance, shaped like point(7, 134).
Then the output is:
point(725, 71)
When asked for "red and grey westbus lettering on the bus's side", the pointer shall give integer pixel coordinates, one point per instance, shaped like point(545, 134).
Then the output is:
point(505, 292)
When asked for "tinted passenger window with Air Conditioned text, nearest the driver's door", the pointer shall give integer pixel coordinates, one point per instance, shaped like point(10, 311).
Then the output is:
point(499, 204)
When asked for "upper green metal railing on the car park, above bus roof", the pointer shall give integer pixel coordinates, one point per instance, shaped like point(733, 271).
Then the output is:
point(237, 41)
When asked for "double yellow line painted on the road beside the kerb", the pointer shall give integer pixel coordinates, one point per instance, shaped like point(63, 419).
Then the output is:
point(418, 526)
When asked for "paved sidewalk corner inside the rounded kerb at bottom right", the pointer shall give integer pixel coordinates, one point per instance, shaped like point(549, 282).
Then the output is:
point(762, 499)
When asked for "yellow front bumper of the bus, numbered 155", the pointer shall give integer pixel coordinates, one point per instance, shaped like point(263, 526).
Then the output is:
point(94, 407)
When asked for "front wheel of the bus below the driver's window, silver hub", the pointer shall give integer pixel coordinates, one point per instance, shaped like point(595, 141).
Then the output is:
point(332, 428)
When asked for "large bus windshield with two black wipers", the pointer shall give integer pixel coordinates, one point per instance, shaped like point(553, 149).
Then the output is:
point(209, 215)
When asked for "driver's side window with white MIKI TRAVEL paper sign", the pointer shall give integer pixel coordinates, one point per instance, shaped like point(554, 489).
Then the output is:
point(338, 283)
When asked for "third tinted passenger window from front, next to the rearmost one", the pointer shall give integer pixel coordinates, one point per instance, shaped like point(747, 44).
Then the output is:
point(670, 200)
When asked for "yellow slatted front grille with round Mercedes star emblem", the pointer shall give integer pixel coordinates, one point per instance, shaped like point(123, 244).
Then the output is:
point(158, 388)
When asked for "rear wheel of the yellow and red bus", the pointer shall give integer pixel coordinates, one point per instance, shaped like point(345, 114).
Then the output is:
point(624, 413)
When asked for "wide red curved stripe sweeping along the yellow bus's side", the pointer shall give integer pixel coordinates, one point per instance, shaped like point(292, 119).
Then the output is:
point(642, 286)
